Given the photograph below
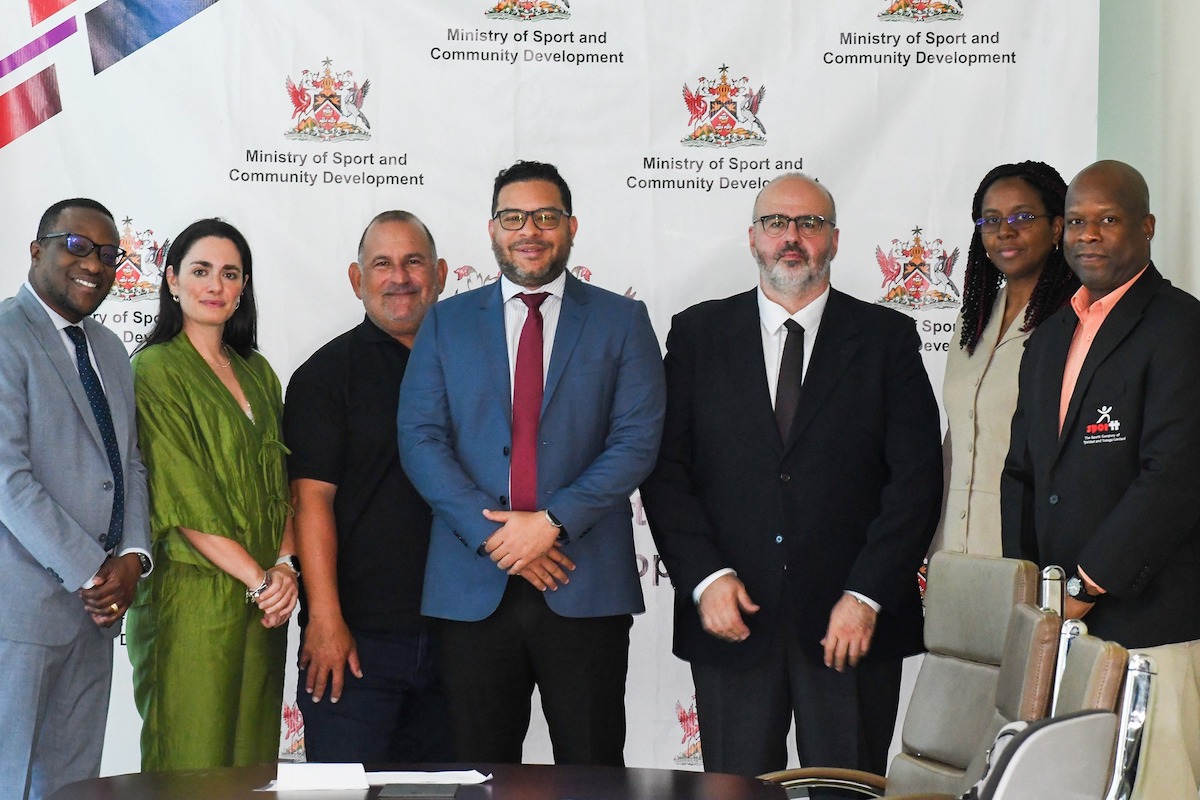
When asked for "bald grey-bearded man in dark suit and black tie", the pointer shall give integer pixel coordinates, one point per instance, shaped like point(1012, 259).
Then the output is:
point(796, 492)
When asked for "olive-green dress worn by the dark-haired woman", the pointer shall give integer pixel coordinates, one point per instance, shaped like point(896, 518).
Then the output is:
point(208, 678)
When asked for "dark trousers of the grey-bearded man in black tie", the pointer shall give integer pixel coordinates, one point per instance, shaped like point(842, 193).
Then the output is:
point(842, 719)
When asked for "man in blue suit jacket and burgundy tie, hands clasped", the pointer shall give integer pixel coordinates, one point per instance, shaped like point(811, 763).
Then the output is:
point(530, 411)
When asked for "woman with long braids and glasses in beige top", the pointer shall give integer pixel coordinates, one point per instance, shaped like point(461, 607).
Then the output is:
point(1016, 278)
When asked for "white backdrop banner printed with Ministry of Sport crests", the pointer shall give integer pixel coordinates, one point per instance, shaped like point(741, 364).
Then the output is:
point(170, 116)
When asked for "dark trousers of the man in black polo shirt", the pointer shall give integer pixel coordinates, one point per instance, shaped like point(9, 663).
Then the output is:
point(395, 714)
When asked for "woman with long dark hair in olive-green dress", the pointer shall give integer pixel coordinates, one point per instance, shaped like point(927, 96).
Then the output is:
point(208, 629)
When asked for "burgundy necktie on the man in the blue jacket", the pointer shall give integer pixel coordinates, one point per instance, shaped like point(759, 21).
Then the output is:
point(527, 388)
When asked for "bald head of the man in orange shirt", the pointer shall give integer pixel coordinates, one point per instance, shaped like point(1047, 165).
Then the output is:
point(1108, 226)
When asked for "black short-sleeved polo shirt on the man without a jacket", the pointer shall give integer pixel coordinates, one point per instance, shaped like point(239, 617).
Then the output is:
point(340, 424)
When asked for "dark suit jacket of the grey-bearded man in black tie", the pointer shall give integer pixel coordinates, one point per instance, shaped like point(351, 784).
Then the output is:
point(850, 502)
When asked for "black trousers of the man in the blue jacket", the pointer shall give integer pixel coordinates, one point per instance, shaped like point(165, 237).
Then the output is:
point(579, 665)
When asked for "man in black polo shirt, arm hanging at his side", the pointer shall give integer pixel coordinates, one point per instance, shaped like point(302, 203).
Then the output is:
point(369, 690)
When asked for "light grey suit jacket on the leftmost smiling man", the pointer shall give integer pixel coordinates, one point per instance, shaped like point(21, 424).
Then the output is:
point(56, 484)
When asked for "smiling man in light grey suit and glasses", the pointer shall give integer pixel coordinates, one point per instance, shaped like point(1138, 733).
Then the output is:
point(74, 518)
